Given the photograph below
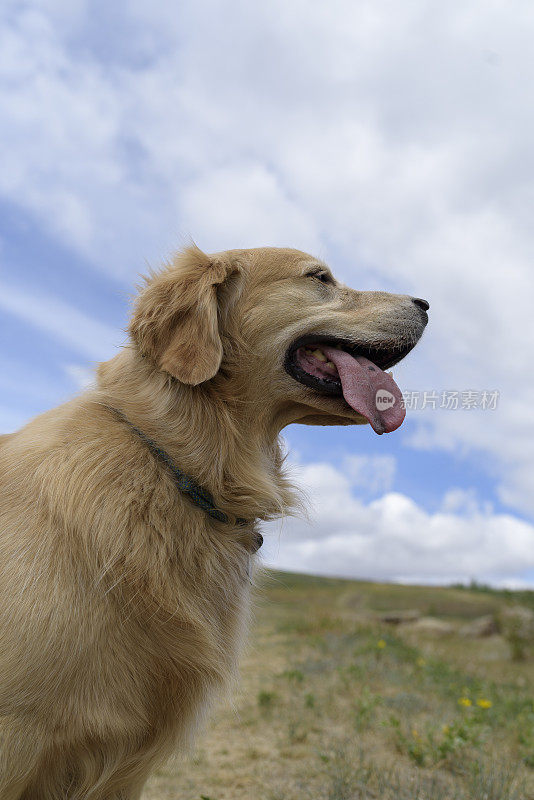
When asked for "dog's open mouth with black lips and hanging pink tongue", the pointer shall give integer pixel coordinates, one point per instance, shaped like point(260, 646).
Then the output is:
point(340, 368)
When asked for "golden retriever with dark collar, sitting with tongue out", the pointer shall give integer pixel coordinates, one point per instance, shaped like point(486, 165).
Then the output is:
point(128, 515)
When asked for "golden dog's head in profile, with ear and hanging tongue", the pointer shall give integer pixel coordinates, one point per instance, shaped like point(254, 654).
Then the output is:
point(278, 326)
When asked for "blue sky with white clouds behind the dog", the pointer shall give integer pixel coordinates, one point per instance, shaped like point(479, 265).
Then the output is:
point(394, 140)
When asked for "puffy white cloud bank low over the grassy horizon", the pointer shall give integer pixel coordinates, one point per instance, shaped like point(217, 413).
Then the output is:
point(392, 538)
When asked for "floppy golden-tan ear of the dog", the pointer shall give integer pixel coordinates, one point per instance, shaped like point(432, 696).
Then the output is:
point(177, 317)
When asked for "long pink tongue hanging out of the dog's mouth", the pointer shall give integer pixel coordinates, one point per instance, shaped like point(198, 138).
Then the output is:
point(368, 390)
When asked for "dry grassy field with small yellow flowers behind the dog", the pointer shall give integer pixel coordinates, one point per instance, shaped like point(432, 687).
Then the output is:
point(335, 704)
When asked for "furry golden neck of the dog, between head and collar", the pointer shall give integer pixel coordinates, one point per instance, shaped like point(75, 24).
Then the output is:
point(209, 431)
